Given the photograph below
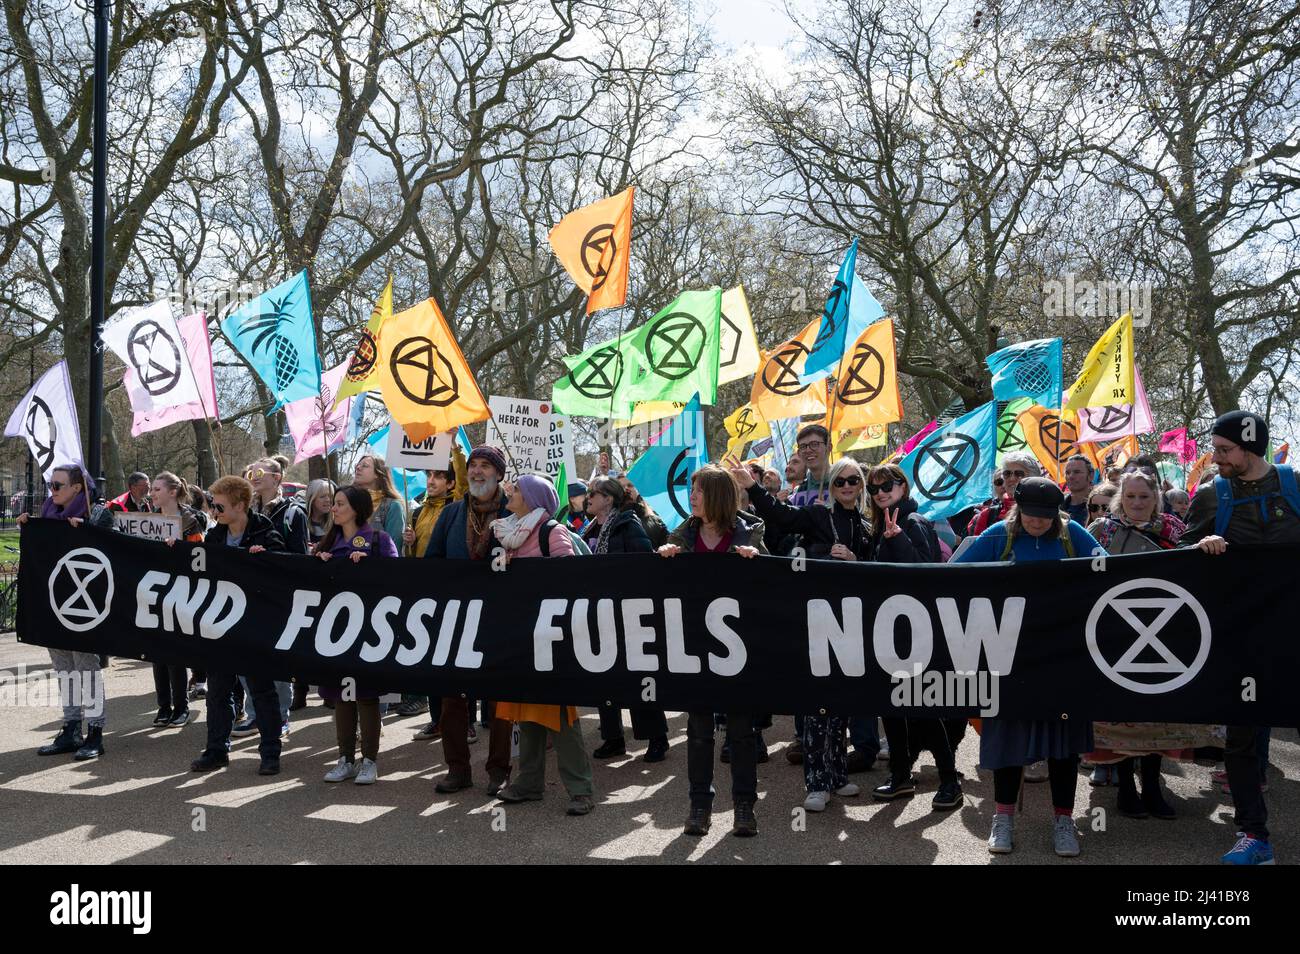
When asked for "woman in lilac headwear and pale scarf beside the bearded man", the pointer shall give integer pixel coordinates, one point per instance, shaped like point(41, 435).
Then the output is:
point(531, 531)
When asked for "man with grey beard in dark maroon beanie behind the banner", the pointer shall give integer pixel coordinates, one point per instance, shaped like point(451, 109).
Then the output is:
point(463, 532)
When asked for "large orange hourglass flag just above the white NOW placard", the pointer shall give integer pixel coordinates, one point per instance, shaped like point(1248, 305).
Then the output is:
point(426, 380)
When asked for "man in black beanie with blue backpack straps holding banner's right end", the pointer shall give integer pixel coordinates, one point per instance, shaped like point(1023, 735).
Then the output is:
point(1251, 501)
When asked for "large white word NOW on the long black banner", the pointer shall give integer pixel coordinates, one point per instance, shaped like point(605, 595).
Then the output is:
point(982, 630)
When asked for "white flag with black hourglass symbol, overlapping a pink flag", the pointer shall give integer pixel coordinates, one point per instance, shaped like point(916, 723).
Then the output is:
point(158, 363)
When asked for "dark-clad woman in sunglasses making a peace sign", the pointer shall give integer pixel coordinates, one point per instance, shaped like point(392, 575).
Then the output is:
point(900, 535)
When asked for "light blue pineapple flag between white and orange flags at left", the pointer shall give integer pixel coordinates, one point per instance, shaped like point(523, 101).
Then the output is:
point(276, 336)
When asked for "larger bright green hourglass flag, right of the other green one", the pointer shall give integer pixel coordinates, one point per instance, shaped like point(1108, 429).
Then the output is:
point(678, 350)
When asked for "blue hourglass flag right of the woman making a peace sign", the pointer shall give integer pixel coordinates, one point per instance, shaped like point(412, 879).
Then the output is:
point(954, 467)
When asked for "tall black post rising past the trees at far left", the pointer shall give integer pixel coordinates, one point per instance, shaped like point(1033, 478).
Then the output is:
point(99, 203)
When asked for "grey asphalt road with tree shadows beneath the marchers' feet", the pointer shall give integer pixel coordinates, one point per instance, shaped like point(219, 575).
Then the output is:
point(141, 804)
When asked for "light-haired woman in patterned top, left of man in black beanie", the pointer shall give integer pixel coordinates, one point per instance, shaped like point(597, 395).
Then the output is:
point(1136, 524)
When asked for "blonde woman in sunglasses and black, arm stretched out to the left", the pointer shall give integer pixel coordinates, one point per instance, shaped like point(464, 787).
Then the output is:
point(838, 532)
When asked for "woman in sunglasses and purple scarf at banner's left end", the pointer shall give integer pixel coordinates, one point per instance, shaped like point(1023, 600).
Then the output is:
point(70, 500)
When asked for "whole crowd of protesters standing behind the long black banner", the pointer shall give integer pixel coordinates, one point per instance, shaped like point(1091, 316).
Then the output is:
point(842, 511)
